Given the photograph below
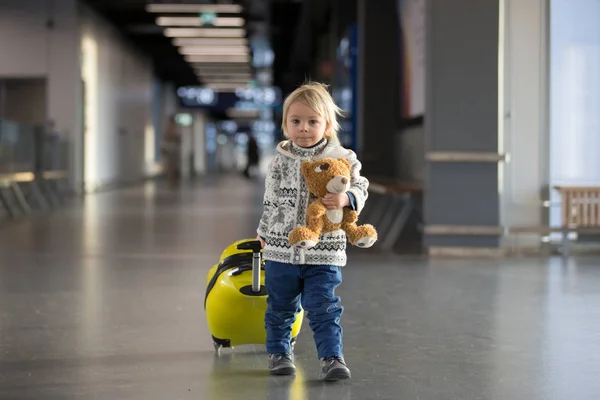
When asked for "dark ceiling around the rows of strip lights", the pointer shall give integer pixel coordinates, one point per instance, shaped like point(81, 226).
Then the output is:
point(274, 19)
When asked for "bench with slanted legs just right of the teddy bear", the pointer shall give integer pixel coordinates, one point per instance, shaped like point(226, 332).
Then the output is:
point(389, 207)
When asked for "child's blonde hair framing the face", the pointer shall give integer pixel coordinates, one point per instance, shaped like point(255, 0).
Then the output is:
point(315, 96)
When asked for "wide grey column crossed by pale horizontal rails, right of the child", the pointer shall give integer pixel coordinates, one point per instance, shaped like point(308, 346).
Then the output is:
point(462, 115)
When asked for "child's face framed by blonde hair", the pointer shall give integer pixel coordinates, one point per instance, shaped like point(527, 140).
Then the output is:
point(304, 126)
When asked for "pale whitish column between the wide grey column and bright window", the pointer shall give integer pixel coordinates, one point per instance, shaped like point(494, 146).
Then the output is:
point(523, 109)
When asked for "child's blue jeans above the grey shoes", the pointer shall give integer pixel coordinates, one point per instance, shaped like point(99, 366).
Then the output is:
point(313, 286)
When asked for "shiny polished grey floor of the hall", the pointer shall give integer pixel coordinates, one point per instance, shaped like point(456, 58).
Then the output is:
point(103, 300)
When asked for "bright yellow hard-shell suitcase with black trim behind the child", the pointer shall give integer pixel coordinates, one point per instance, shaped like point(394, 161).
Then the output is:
point(236, 298)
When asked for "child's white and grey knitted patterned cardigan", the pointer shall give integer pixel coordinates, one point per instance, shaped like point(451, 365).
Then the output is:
point(286, 200)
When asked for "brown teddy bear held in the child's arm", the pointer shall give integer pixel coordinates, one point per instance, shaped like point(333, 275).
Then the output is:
point(329, 175)
